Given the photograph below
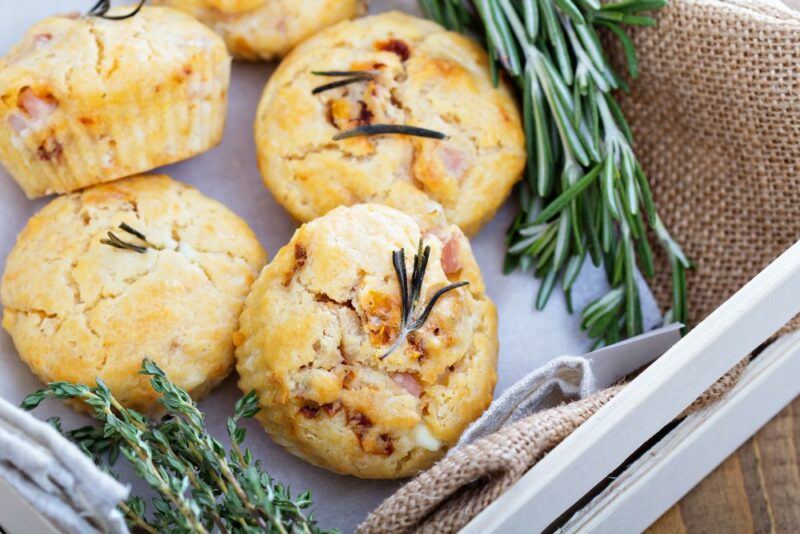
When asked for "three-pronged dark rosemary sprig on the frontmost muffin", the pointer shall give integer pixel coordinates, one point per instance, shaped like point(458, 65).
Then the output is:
point(411, 291)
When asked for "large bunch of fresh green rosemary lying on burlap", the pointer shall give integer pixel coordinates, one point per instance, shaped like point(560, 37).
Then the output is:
point(585, 193)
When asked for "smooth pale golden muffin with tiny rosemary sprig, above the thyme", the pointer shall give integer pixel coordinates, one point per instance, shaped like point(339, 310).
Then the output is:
point(78, 307)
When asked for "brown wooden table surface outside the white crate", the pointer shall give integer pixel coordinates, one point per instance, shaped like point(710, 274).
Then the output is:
point(757, 489)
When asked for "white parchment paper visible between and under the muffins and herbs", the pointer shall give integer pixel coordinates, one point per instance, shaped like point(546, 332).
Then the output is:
point(229, 174)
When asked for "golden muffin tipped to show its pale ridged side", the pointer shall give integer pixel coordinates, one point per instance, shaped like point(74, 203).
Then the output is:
point(88, 100)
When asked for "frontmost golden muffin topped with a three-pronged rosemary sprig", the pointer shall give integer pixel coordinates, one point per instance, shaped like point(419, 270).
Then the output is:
point(340, 383)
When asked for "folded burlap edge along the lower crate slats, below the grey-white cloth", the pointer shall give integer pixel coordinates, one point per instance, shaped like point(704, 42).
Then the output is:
point(451, 493)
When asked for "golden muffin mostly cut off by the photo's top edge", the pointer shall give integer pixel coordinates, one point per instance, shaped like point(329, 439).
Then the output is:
point(267, 29)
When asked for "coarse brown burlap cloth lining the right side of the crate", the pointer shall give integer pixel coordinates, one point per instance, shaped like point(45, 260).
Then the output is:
point(716, 118)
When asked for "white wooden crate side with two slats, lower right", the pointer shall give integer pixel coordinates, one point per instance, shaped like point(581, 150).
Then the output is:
point(650, 402)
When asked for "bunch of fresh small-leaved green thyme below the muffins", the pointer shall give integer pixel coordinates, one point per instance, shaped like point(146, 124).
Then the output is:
point(199, 488)
